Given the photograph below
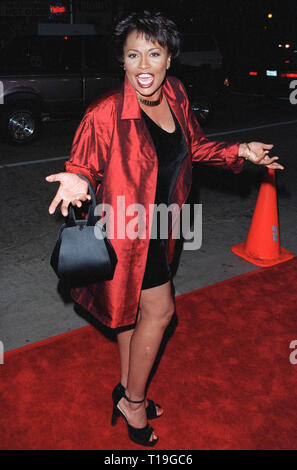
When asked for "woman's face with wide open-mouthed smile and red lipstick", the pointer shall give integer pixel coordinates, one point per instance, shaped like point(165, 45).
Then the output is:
point(145, 63)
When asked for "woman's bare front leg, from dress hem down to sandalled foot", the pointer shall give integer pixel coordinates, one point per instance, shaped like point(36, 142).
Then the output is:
point(156, 310)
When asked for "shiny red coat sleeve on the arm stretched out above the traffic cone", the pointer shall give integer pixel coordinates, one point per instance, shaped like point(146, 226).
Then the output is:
point(223, 154)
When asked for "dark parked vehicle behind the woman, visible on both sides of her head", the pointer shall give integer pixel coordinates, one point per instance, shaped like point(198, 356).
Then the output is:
point(57, 76)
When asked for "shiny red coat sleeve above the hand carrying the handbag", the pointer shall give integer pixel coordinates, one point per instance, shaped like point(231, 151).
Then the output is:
point(90, 147)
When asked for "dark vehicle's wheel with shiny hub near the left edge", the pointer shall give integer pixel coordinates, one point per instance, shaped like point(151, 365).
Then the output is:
point(22, 125)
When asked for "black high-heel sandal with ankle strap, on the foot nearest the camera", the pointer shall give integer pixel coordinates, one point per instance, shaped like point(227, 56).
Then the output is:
point(139, 435)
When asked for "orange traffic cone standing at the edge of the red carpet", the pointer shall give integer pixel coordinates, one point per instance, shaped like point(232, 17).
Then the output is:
point(262, 246)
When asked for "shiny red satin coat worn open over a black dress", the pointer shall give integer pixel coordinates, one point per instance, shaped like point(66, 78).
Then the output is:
point(113, 148)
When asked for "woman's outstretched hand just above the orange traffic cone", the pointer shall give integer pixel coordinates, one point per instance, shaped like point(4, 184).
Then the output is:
point(258, 153)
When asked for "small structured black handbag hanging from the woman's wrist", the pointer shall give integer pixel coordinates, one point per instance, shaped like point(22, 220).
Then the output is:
point(79, 256)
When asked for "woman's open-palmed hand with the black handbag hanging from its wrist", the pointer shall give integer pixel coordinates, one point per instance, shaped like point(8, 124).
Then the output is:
point(72, 189)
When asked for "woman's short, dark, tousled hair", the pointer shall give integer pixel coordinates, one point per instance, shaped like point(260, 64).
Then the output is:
point(156, 28)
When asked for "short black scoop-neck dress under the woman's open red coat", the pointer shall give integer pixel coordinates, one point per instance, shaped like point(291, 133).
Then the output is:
point(171, 149)
